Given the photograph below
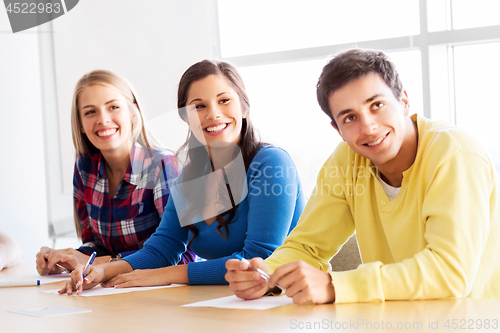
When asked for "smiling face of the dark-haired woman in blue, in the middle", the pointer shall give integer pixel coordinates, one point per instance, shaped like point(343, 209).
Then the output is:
point(214, 111)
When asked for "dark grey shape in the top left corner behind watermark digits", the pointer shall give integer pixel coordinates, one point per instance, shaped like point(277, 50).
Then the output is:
point(24, 15)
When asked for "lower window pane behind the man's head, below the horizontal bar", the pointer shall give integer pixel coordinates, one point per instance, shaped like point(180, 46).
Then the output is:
point(285, 111)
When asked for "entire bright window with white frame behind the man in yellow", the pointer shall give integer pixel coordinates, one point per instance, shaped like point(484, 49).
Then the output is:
point(446, 52)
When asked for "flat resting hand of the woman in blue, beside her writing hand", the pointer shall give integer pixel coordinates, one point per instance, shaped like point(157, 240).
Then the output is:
point(143, 278)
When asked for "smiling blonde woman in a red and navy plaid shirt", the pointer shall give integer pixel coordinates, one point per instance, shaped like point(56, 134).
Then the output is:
point(120, 178)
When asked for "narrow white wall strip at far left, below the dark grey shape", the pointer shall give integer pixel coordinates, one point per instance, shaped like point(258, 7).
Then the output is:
point(23, 199)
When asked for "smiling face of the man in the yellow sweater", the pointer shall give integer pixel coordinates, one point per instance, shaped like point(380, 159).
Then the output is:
point(374, 122)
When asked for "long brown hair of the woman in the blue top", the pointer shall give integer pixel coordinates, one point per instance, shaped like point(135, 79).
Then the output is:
point(249, 143)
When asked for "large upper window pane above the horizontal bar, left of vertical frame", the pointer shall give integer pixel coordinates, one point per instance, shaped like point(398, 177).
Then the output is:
point(261, 26)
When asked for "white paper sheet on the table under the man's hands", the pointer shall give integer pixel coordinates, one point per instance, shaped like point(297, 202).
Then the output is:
point(233, 302)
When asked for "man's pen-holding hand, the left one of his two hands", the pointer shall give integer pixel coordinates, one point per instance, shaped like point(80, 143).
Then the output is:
point(244, 281)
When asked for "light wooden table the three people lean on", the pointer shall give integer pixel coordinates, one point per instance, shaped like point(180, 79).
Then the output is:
point(160, 311)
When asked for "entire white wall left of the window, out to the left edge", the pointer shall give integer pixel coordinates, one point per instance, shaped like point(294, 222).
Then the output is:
point(150, 42)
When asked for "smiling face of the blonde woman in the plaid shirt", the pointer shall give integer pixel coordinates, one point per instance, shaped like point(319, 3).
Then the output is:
point(106, 119)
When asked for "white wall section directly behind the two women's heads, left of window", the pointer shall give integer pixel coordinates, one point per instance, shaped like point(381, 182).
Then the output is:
point(150, 42)
